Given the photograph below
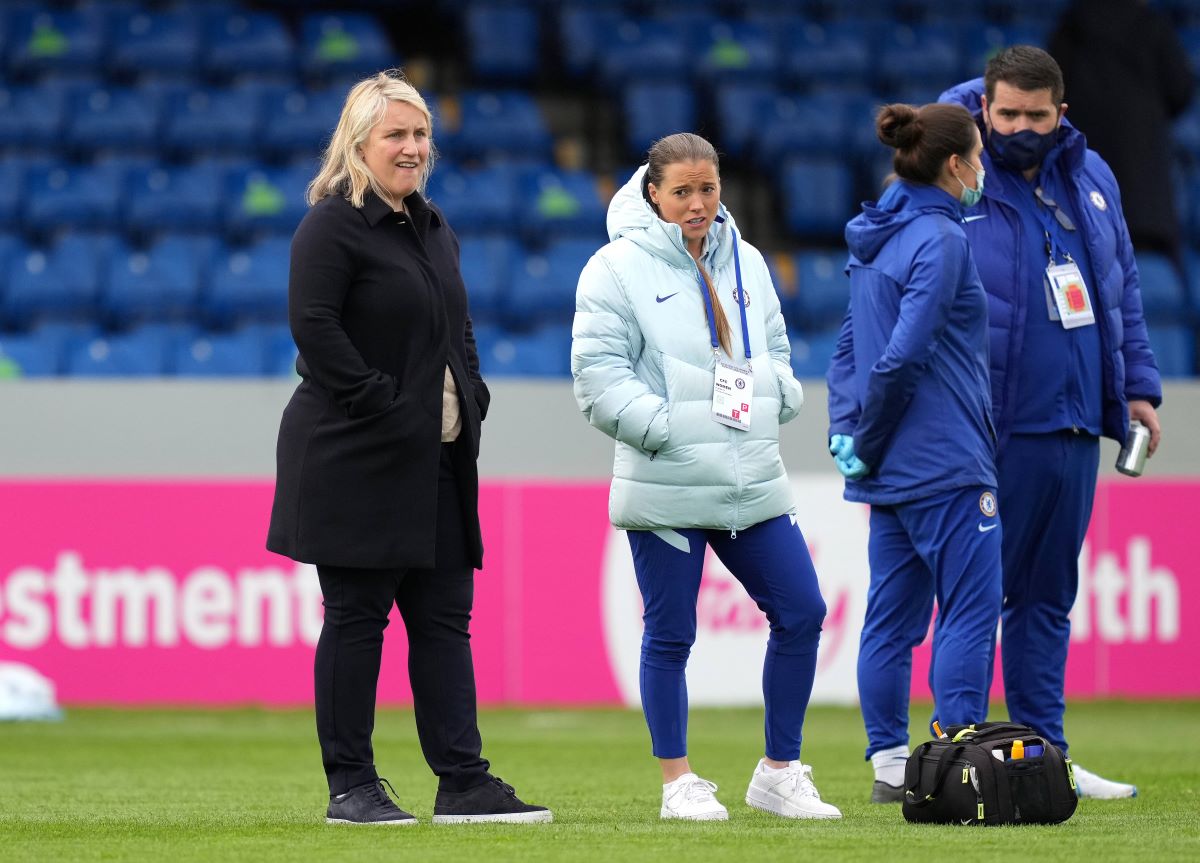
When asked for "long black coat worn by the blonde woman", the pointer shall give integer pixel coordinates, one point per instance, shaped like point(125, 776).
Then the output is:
point(379, 310)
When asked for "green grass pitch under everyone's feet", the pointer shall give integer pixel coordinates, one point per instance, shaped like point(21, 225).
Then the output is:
point(247, 786)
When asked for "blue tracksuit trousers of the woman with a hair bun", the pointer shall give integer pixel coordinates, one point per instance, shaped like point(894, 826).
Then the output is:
point(947, 548)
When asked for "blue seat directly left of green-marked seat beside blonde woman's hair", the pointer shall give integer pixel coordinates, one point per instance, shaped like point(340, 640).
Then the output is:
point(158, 196)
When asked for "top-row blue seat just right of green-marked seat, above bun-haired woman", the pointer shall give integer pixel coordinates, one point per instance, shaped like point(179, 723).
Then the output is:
point(839, 51)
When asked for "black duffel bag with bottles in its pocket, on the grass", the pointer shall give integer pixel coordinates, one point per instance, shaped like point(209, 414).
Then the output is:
point(971, 777)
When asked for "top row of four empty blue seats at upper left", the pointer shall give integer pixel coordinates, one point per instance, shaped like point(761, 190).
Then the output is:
point(220, 41)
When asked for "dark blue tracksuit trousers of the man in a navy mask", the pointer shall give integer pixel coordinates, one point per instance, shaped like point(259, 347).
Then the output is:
point(1048, 486)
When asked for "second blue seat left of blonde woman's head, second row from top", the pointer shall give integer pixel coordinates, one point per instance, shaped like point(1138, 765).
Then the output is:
point(212, 122)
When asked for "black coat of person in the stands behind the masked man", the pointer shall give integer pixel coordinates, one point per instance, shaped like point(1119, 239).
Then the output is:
point(1127, 77)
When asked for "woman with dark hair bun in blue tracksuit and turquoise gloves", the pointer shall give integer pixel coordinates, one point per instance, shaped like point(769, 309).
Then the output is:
point(911, 431)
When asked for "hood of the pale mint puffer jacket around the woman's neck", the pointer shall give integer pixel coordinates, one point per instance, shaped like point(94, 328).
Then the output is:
point(632, 215)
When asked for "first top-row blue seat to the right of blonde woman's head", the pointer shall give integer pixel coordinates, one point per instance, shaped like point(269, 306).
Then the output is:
point(503, 41)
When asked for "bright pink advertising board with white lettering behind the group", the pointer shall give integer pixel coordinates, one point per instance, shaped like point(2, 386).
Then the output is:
point(161, 592)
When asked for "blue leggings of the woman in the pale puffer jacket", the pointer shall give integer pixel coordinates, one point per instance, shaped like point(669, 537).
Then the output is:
point(772, 562)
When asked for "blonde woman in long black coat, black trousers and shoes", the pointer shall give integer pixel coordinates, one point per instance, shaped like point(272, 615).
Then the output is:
point(377, 481)
